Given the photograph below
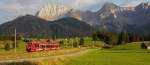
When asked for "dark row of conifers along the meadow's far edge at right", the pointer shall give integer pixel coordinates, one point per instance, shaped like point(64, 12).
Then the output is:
point(113, 38)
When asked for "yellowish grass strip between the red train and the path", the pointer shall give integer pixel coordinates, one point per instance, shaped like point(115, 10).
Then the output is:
point(21, 53)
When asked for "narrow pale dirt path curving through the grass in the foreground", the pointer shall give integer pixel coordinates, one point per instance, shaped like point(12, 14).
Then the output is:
point(48, 57)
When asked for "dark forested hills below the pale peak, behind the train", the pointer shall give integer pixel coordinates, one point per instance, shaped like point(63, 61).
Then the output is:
point(33, 26)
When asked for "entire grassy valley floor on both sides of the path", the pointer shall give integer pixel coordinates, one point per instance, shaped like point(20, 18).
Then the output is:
point(126, 54)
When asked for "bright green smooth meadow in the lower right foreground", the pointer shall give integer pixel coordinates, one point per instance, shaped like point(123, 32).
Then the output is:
point(113, 57)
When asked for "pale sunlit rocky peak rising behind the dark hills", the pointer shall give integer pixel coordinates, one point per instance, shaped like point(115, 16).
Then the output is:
point(53, 12)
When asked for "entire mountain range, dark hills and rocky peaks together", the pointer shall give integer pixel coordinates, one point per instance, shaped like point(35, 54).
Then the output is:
point(68, 22)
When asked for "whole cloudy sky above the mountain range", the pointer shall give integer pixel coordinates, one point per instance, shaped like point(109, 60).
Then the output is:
point(10, 9)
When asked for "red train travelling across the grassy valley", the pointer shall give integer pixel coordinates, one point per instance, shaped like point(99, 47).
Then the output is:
point(42, 45)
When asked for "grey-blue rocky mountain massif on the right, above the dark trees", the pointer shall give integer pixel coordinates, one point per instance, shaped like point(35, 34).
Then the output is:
point(114, 18)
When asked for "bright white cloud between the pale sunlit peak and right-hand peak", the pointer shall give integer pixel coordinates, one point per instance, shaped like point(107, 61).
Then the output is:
point(88, 4)
